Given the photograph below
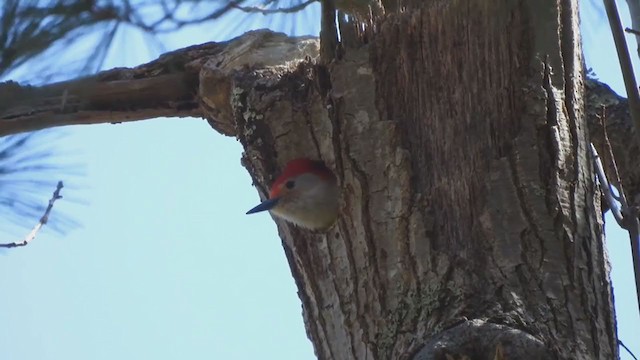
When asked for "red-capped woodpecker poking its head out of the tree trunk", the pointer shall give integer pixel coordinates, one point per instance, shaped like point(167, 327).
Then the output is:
point(306, 194)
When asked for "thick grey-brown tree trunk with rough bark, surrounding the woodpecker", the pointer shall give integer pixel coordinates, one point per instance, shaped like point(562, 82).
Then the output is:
point(470, 225)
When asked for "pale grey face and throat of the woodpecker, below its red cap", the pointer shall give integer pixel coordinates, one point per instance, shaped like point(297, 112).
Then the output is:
point(308, 201)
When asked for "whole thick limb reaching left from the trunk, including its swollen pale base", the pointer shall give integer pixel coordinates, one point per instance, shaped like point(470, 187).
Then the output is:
point(193, 81)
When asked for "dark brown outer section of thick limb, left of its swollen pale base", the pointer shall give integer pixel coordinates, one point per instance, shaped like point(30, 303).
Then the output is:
point(93, 100)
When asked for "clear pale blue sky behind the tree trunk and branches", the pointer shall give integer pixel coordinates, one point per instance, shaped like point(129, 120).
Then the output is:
point(165, 264)
